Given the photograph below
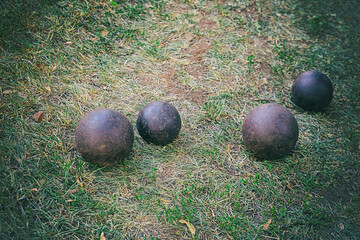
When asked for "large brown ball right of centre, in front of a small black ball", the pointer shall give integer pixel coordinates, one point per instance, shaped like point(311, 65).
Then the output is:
point(270, 131)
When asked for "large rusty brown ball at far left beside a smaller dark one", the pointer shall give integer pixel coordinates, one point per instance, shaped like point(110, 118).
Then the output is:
point(104, 137)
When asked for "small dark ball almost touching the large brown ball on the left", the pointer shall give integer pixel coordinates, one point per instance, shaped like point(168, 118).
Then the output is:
point(159, 123)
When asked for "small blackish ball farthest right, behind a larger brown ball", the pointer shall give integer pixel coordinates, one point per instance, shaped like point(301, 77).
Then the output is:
point(312, 91)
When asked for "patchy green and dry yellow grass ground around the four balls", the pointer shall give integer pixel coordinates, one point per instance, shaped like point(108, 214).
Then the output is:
point(214, 61)
